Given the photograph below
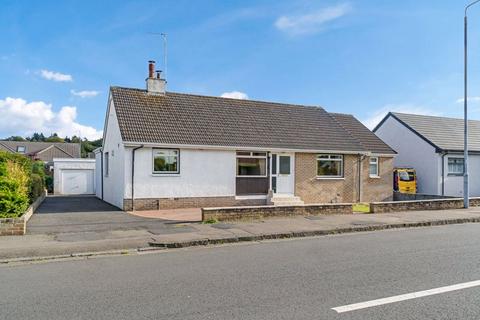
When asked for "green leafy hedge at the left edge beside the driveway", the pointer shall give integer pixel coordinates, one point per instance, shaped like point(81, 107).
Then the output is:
point(21, 182)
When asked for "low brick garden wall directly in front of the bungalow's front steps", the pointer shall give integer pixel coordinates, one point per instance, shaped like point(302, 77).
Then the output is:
point(261, 212)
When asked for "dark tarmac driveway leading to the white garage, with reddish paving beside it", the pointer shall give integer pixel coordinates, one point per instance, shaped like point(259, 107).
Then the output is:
point(73, 218)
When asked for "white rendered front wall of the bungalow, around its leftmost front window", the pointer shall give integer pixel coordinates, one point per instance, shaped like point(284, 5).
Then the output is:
point(203, 173)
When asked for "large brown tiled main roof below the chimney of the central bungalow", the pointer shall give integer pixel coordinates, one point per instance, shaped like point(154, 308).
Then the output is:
point(186, 119)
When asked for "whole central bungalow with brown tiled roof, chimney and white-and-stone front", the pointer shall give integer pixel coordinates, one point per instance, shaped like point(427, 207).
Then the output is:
point(166, 150)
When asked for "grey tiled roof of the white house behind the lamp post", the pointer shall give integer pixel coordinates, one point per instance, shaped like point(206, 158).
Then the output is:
point(443, 133)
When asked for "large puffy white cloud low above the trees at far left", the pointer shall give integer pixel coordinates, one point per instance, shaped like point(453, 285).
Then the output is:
point(23, 118)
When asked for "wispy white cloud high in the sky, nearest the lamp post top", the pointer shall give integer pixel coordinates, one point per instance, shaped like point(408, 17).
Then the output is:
point(311, 22)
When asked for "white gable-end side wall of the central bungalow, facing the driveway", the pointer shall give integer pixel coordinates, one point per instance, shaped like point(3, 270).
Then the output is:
point(113, 184)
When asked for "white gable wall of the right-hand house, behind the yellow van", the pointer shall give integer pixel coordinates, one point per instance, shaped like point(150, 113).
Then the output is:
point(413, 152)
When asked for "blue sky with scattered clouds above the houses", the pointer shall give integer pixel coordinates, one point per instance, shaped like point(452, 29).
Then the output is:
point(367, 57)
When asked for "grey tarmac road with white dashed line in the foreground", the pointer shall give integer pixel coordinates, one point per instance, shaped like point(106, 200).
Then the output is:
point(288, 279)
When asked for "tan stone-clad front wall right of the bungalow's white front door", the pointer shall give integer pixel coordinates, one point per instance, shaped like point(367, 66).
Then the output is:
point(314, 190)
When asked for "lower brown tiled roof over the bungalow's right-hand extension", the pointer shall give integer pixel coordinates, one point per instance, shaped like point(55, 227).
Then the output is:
point(364, 136)
